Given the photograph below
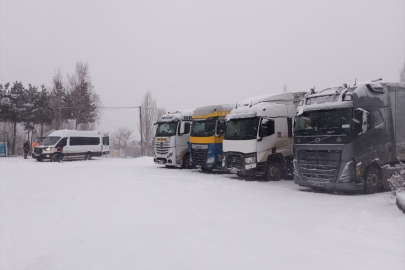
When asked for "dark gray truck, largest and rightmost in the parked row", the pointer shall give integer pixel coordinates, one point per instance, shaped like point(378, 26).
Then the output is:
point(350, 138)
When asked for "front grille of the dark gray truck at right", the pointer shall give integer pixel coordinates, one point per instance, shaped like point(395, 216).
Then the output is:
point(319, 165)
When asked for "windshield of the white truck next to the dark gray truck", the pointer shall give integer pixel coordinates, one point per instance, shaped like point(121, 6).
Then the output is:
point(241, 129)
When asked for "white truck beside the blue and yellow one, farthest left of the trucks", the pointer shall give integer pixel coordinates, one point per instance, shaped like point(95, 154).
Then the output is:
point(172, 139)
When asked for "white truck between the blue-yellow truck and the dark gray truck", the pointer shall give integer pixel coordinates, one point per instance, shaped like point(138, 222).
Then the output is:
point(258, 139)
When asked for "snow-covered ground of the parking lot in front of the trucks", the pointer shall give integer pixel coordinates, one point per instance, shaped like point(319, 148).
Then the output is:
point(133, 214)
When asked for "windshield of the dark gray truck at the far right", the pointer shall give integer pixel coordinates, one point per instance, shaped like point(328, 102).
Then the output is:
point(327, 122)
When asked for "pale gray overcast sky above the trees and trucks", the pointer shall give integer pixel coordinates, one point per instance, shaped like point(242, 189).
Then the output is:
point(195, 53)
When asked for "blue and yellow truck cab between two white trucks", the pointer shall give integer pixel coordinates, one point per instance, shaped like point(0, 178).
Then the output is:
point(207, 133)
